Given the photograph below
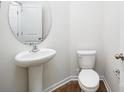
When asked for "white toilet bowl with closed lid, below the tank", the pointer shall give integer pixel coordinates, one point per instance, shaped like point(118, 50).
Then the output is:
point(88, 80)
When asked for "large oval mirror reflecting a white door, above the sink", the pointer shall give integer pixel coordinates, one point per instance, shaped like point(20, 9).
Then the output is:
point(30, 21)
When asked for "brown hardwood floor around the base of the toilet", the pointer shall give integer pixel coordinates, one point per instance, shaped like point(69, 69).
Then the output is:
point(73, 86)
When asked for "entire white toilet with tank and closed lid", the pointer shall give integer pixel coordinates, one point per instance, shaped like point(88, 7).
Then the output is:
point(88, 79)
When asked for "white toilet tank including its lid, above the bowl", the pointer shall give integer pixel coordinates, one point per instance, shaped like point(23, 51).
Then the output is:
point(86, 58)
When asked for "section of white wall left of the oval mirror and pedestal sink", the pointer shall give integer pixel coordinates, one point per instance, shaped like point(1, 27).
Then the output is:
point(12, 78)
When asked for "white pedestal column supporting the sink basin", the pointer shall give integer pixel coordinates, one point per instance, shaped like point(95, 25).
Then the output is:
point(35, 78)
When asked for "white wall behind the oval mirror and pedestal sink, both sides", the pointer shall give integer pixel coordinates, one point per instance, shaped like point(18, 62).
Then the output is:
point(13, 78)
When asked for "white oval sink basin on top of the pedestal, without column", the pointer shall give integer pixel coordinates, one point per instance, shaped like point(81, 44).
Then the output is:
point(27, 58)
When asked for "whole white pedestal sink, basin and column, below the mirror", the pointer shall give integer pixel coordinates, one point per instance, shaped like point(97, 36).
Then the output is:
point(34, 61)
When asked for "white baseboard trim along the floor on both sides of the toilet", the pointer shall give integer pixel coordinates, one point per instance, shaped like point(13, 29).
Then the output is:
point(70, 78)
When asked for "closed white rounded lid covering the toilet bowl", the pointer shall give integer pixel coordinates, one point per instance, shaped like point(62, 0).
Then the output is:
point(89, 78)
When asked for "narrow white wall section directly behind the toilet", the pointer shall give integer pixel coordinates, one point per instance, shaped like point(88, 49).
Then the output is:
point(86, 31)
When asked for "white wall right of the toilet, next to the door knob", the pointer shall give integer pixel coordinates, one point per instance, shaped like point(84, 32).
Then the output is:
point(111, 42)
